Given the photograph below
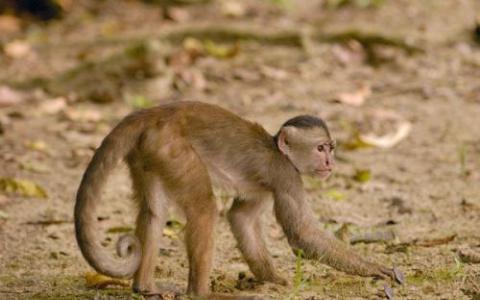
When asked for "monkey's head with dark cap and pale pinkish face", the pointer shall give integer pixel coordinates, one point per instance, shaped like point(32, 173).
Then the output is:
point(306, 141)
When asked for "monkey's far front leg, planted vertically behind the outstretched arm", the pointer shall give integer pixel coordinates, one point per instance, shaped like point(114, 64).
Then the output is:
point(244, 218)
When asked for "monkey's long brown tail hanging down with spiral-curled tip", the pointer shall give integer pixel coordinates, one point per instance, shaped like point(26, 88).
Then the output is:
point(112, 150)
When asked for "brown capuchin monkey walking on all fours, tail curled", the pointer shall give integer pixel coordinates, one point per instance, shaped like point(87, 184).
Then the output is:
point(175, 153)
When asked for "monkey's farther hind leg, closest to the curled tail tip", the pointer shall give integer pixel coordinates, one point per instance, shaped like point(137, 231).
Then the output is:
point(150, 222)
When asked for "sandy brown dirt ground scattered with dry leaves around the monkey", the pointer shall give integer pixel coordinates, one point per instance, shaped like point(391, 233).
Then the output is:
point(425, 189)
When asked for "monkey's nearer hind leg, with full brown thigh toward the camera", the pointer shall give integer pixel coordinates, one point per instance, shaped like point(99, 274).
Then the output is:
point(187, 182)
